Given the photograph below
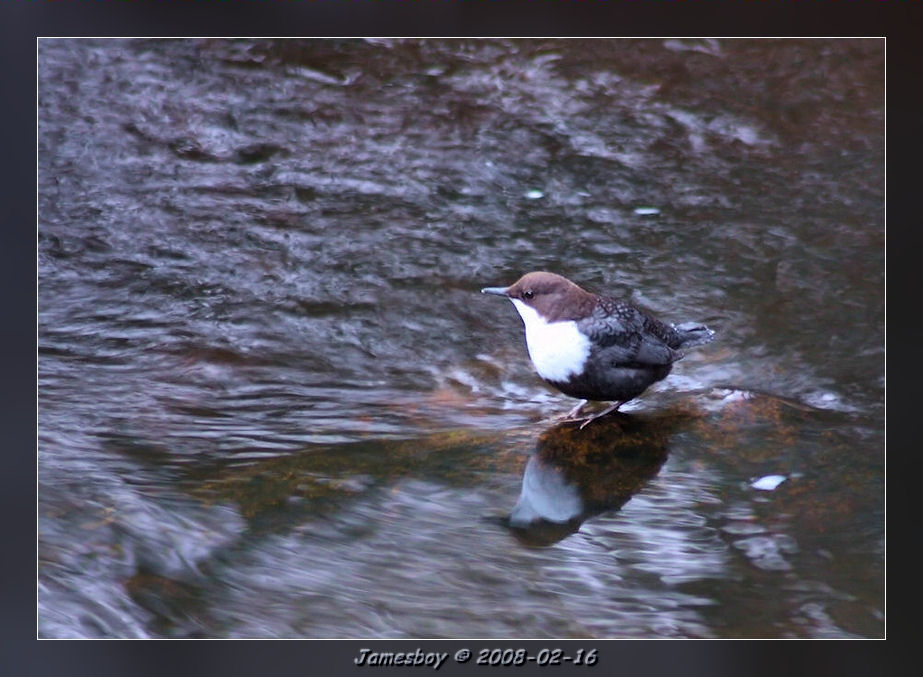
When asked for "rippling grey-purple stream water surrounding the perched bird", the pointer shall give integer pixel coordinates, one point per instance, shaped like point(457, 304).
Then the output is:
point(272, 402)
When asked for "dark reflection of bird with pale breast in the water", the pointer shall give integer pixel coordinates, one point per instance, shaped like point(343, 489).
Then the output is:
point(576, 474)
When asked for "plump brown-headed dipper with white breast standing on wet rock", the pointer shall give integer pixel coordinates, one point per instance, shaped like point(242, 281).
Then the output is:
point(595, 347)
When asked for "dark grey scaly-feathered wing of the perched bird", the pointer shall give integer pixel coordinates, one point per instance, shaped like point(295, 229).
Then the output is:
point(627, 336)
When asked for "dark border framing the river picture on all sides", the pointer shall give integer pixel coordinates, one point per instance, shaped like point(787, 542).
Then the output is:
point(22, 22)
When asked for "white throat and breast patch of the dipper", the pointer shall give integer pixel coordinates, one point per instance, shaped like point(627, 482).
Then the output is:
point(558, 349)
